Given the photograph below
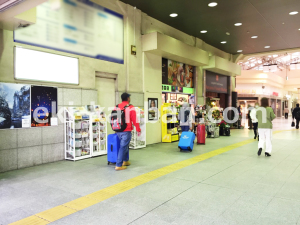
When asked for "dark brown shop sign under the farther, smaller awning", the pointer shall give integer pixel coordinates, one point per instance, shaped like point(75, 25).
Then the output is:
point(216, 83)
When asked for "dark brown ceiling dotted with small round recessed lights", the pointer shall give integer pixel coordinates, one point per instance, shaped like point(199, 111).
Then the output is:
point(268, 19)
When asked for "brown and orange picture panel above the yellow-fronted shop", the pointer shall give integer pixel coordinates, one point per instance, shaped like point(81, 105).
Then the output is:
point(179, 74)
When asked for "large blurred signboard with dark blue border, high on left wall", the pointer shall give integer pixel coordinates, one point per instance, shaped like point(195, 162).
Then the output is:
point(79, 27)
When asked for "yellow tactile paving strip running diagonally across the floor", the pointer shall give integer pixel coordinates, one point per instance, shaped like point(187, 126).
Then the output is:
point(76, 205)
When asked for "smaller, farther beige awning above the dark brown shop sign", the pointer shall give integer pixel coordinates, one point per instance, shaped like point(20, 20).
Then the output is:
point(223, 66)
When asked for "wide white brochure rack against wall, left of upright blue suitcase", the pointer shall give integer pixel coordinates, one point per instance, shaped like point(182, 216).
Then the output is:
point(85, 134)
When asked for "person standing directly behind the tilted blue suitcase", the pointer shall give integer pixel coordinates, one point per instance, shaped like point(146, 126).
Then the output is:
point(186, 118)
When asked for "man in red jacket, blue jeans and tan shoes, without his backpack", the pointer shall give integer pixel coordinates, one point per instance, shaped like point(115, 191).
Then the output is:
point(125, 136)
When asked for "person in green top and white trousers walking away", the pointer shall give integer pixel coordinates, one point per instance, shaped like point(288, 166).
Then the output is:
point(265, 115)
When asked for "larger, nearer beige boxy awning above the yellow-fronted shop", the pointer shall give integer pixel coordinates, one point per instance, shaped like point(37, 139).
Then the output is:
point(173, 49)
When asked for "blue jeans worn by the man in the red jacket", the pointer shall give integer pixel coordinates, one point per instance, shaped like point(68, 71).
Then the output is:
point(123, 154)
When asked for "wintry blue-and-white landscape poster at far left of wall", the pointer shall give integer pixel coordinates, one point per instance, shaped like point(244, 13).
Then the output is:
point(14, 106)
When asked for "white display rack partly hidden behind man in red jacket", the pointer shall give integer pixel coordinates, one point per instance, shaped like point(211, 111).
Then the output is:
point(139, 141)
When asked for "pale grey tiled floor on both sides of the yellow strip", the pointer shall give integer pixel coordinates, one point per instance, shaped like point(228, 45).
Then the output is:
point(236, 187)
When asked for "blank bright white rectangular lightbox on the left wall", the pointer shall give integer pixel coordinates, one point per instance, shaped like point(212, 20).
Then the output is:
point(47, 67)
